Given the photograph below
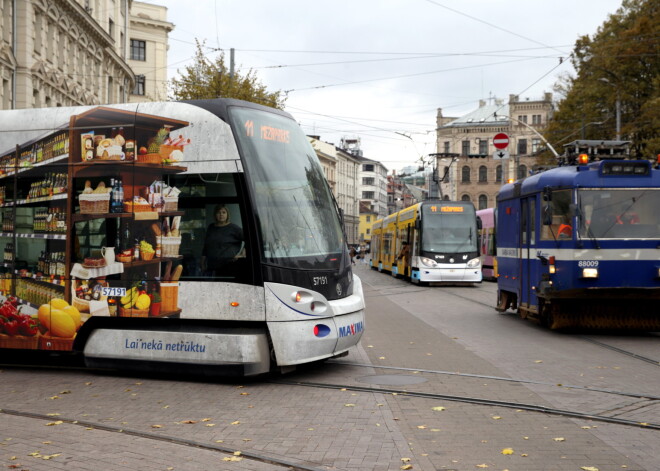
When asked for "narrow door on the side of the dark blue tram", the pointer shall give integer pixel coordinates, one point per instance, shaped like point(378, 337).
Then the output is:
point(528, 256)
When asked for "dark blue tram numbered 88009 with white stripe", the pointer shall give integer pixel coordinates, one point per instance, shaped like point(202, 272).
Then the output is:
point(579, 245)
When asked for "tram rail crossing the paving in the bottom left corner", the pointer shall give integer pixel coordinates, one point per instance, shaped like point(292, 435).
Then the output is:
point(229, 452)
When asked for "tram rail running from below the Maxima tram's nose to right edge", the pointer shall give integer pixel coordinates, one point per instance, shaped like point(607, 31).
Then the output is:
point(477, 401)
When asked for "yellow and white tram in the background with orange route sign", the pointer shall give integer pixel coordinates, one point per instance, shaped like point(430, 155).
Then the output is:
point(430, 242)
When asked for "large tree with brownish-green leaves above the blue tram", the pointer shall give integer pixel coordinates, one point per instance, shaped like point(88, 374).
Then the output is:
point(621, 62)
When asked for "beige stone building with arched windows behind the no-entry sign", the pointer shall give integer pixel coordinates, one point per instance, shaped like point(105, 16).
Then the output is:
point(467, 164)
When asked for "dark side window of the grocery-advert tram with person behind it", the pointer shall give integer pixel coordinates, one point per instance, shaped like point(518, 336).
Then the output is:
point(213, 234)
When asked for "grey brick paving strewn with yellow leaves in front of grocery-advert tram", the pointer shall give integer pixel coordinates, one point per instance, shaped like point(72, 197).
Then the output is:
point(314, 428)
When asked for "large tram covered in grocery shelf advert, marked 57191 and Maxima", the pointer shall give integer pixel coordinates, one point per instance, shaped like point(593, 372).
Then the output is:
point(193, 236)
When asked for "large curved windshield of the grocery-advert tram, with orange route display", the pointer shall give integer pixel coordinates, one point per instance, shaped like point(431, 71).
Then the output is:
point(298, 218)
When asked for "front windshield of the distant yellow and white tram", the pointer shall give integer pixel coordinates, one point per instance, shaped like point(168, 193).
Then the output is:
point(449, 229)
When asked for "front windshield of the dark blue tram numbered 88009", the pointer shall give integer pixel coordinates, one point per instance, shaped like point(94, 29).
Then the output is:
point(619, 213)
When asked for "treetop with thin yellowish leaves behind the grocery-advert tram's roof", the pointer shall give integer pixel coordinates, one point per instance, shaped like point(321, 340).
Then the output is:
point(206, 79)
